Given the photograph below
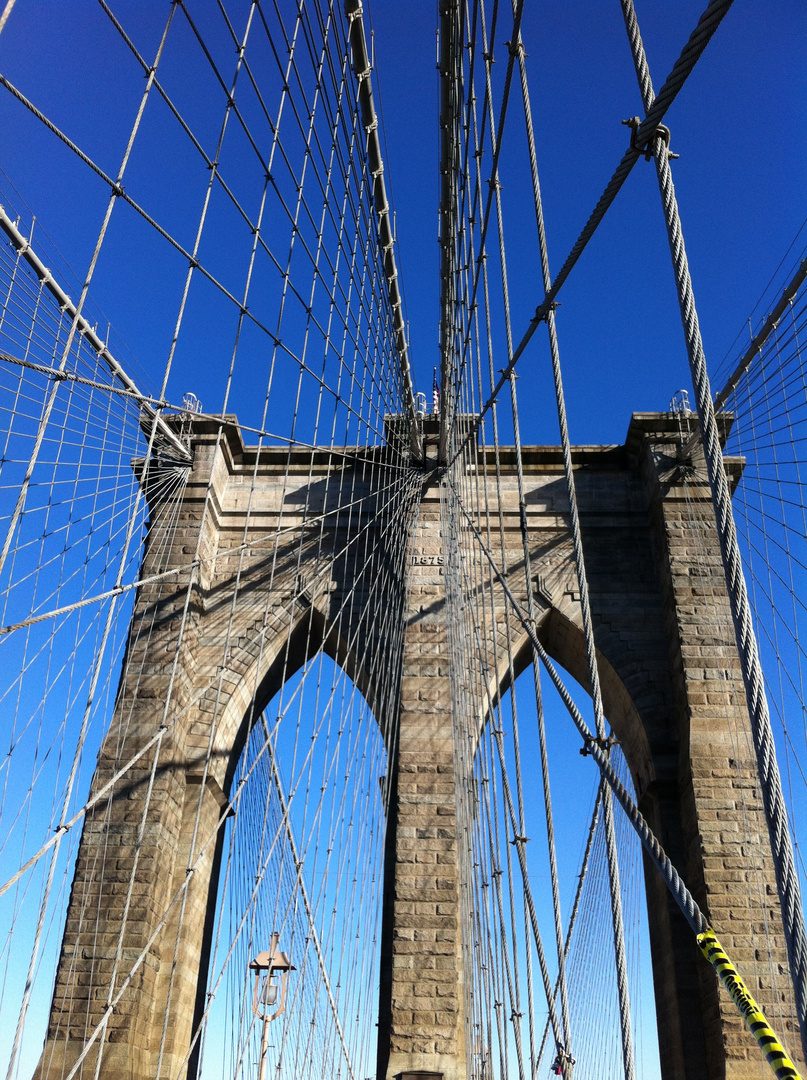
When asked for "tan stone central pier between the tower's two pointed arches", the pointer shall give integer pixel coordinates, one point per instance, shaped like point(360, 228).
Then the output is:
point(422, 1015)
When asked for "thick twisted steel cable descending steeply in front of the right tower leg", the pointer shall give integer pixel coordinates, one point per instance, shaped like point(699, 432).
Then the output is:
point(771, 782)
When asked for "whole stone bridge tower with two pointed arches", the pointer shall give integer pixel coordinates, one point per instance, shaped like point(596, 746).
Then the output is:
point(672, 690)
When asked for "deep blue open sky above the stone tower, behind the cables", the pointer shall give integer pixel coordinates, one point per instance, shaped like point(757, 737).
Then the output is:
point(742, 180)
